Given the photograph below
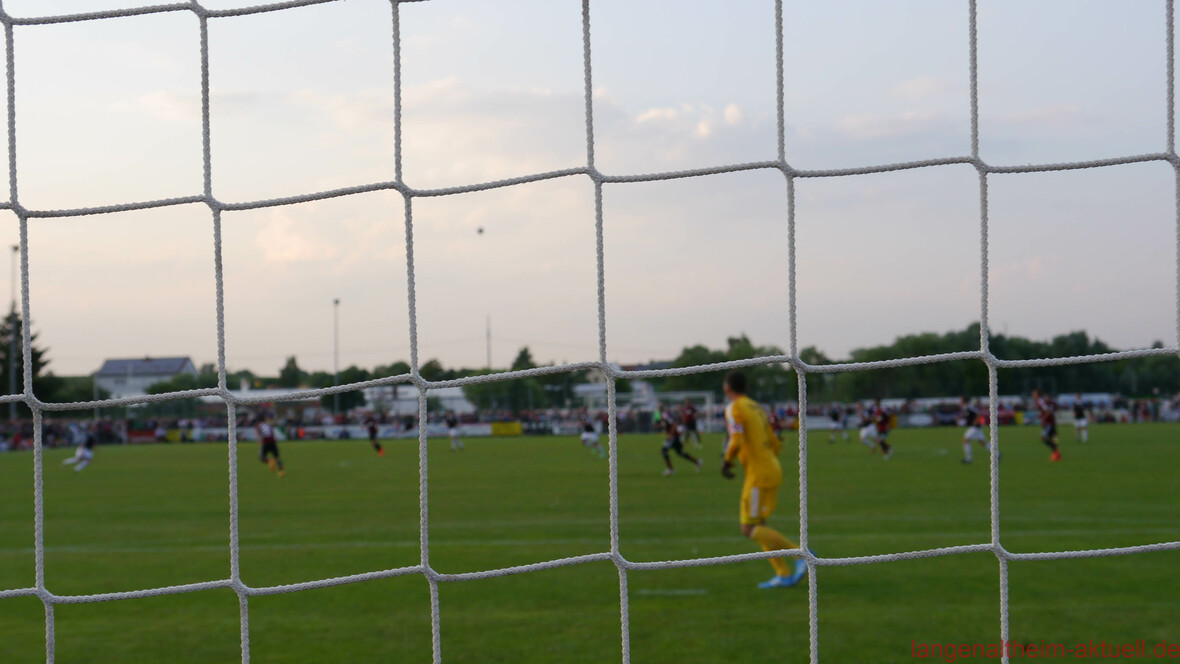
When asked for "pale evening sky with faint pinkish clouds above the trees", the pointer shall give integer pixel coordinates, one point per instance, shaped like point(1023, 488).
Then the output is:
point(303, 101)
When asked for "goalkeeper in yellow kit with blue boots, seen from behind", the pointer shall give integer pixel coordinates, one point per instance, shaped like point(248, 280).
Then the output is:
point(752, 442)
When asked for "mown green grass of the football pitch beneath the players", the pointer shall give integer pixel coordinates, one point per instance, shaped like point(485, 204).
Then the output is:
point(156, 516)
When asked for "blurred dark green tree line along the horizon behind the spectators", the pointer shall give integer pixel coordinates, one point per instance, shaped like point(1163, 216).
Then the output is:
point(769, 383)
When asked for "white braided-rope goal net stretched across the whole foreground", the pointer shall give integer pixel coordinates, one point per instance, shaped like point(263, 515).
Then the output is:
point(208, 198)
